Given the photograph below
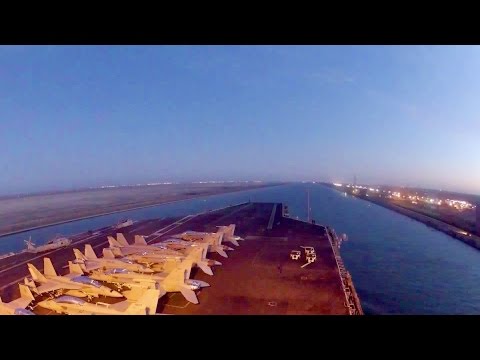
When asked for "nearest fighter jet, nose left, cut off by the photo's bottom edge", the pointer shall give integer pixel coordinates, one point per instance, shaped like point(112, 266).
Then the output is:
point(146, 305)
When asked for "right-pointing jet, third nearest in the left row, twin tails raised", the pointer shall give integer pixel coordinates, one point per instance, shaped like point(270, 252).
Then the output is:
point(92, 262)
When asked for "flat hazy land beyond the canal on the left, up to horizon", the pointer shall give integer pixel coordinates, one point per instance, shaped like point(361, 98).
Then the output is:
point(23, 213)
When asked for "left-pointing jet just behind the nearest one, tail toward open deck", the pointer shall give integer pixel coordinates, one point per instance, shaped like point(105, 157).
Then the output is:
point(176, 280)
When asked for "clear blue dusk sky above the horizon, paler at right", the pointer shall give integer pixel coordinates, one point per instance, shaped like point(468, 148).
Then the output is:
point(73, 116)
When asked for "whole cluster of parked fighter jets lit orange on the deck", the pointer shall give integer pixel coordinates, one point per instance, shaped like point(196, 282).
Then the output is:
point(139, 272)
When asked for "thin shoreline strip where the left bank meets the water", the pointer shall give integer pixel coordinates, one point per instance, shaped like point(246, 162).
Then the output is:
point(133, 208)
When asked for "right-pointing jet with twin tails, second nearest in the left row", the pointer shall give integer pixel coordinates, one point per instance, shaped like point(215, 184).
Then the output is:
point(71, 284)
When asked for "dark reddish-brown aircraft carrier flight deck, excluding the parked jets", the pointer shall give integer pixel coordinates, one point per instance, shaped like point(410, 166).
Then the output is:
point(258, 277)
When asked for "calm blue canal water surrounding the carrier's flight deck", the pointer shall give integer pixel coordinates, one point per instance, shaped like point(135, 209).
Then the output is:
point(399, 266)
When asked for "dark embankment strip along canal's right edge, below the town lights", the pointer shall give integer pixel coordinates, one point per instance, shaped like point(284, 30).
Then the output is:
point(431, 222)
